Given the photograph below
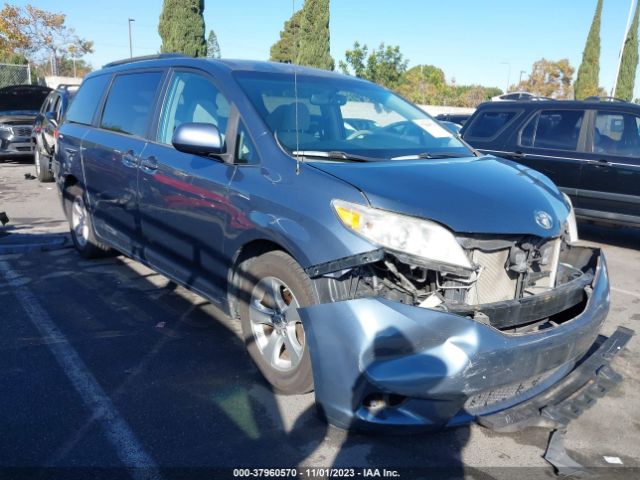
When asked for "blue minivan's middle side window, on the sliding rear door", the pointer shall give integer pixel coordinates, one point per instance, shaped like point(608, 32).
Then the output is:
point(129, 103)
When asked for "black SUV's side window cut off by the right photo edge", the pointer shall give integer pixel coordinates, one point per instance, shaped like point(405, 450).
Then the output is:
point(617, 134)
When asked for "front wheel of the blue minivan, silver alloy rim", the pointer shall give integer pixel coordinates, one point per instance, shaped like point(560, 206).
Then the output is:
point(271, 288)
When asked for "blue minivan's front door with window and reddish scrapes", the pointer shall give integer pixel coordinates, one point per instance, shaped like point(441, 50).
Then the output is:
point(184, 203)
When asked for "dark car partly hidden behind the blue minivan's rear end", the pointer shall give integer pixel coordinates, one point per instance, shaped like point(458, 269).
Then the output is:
point(45, 128)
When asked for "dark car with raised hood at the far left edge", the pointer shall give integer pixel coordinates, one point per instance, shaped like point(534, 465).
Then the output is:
point(19, 104)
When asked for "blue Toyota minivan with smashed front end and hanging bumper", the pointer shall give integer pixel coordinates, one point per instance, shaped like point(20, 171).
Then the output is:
point(370, 255)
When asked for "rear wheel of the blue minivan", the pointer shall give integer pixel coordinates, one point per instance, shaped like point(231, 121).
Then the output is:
point(81, 226)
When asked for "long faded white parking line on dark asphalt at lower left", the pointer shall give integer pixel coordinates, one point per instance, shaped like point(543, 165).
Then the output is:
point(124, 441)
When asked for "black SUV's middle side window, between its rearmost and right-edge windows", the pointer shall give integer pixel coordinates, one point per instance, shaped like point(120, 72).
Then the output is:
point(553, 129)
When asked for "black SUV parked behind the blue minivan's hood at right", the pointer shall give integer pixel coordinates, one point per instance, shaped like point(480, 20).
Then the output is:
point(590, 149)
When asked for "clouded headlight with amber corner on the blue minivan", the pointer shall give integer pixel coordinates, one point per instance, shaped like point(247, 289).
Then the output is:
point(403, 234)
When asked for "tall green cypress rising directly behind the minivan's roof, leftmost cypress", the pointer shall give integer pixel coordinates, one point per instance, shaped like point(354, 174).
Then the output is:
point(181, 27)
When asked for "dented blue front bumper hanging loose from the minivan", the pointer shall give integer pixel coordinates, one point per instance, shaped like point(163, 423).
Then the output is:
point(378, 363)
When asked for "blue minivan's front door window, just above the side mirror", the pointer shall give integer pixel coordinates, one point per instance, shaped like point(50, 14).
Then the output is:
point(192, 98)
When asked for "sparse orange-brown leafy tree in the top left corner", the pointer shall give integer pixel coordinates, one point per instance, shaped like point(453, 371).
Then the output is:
point(39, 35)
